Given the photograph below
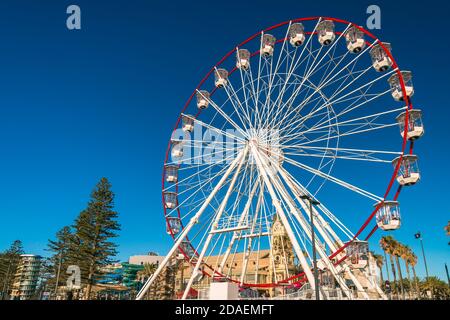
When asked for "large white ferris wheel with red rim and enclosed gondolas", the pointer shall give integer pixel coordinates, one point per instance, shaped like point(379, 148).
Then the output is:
point(299, 111)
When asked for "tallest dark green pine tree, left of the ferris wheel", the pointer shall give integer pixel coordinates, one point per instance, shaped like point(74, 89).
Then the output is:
point(94, 229)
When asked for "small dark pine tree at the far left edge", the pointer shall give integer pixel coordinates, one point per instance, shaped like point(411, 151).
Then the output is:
point(9, 261)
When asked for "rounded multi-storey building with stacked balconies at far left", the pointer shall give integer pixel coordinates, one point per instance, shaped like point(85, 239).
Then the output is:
point(26, 277)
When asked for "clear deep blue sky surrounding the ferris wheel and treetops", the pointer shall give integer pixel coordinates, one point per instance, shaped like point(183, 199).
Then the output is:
point(79, 105)
